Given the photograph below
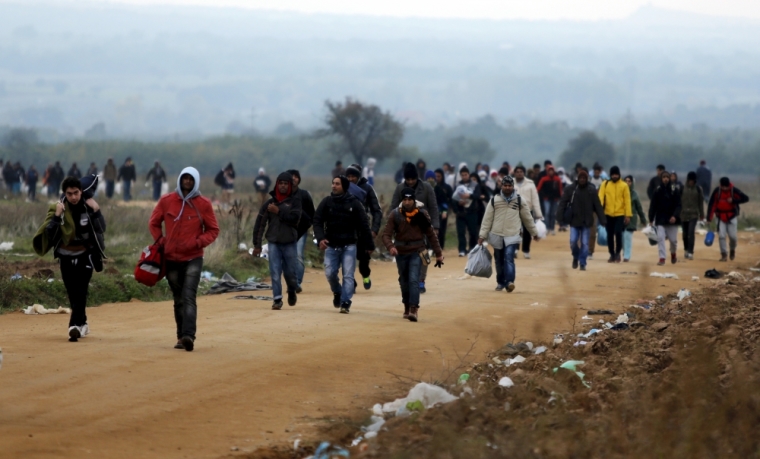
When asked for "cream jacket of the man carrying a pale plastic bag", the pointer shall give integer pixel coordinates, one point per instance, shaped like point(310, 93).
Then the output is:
point(506, 219)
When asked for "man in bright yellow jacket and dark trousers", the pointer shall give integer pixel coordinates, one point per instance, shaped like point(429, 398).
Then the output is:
point(616, 200)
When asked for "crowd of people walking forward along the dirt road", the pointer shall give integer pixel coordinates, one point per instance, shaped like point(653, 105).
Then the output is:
point(503, 210)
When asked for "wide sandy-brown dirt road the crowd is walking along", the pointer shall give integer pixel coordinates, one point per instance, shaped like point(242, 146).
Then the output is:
point(259, 376)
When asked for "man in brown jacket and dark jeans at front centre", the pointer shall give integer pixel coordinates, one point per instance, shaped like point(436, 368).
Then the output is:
point(404, 237)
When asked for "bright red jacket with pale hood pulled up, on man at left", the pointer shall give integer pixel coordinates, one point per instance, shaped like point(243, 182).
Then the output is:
point(189, 223)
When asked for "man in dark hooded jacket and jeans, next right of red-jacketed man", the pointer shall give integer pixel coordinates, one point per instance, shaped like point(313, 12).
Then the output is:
point(278, 219)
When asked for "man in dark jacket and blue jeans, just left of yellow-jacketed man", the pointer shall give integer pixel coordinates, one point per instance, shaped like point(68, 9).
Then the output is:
point(583, 203)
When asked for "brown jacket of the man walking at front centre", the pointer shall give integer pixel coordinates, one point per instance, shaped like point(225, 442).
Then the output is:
point(409, 237)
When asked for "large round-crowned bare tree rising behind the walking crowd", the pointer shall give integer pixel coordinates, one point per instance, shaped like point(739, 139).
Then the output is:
point(363, 131)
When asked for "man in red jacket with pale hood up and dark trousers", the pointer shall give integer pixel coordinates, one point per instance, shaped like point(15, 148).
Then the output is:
point(189, 226)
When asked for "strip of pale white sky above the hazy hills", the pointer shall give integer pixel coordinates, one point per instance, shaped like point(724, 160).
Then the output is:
point(493, 9)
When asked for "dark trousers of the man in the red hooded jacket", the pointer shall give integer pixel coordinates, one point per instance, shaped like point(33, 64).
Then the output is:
point(183, 278)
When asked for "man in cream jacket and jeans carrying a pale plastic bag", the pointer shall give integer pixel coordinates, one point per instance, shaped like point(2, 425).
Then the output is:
point(502, 225)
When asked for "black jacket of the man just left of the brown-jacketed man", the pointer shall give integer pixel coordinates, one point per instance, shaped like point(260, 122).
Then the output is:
point(342, 221)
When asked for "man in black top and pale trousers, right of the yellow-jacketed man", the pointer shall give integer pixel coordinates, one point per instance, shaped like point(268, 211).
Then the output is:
point(665, 214)
